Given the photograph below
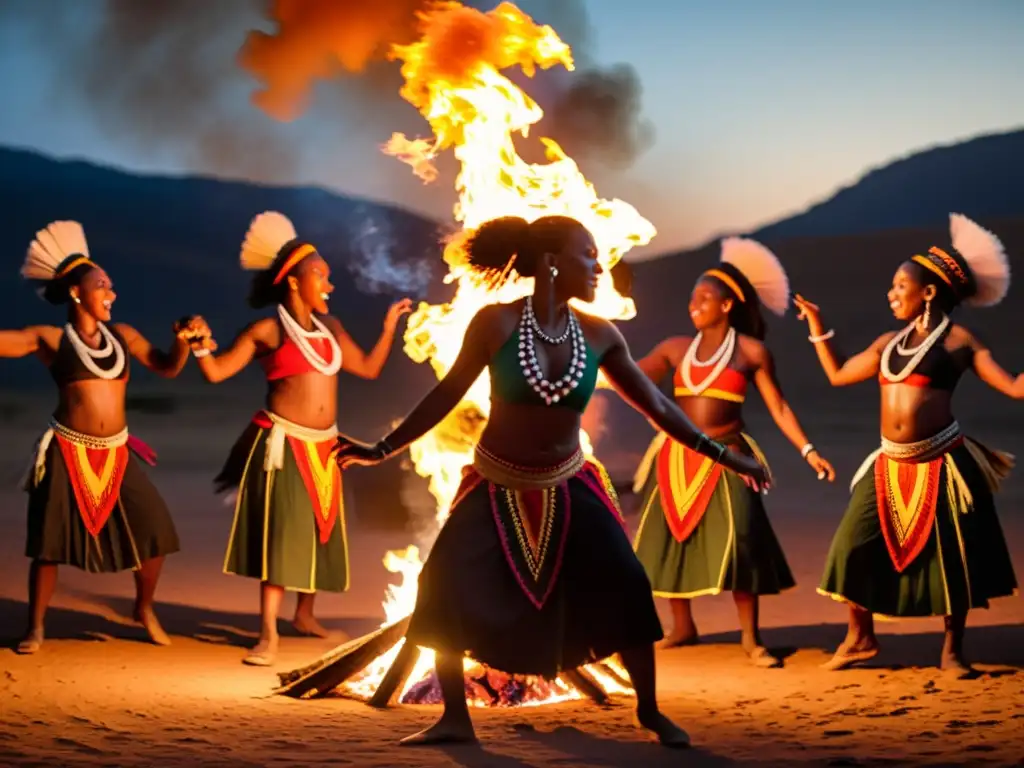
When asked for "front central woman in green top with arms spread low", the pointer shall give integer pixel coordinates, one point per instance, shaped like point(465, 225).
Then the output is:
point(533, 572)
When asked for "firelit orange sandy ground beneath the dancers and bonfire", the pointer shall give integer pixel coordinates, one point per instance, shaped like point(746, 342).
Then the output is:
point(99, 696)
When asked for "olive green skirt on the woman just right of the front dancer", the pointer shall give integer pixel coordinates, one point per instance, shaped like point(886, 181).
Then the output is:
point(703, 531)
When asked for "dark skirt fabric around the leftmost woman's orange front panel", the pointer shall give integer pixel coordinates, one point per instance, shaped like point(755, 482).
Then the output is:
point(139, 528)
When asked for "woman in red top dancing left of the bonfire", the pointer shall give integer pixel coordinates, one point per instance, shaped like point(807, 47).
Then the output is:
point(289, 528)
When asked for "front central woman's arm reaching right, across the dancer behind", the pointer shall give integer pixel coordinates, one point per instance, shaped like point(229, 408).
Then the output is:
point(642, 394)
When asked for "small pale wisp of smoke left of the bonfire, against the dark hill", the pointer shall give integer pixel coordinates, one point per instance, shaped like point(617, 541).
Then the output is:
point(371, 260)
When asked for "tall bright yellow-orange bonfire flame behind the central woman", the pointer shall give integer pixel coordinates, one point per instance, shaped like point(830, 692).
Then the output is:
point(453, 76)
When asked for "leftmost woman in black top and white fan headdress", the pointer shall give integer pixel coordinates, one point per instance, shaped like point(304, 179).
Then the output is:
point(91, 504)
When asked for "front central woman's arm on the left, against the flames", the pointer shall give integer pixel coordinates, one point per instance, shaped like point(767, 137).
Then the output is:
point(473, 359)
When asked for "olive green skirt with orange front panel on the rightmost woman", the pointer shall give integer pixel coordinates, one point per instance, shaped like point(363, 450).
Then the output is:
point(929, 544)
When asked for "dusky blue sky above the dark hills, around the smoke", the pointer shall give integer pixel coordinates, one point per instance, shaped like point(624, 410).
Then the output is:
point(759, 108)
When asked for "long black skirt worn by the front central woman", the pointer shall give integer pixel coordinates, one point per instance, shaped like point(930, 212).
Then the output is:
point(535, 583)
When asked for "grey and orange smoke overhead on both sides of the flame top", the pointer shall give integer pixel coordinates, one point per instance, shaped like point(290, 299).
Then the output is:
point(164, 76)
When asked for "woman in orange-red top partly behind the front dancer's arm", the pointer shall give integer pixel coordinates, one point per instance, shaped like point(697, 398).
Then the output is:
point(703, 531)
